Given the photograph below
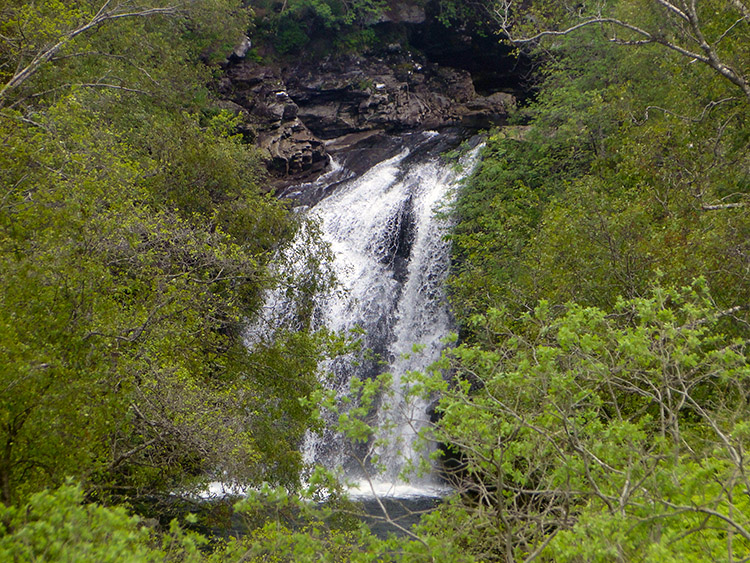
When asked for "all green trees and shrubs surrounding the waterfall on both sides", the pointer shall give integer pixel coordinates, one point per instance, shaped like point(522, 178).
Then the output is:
point(597, 400)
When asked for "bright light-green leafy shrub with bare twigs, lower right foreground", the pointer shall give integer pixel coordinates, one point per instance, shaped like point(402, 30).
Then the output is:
point(599, 436)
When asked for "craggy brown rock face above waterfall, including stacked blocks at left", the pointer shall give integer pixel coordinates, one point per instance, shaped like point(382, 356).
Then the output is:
point(305, 111)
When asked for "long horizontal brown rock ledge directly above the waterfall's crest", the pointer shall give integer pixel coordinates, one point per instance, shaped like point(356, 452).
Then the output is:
point(394, 93)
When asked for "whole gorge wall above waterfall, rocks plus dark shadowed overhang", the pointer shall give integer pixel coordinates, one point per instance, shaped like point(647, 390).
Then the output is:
point(420, 76)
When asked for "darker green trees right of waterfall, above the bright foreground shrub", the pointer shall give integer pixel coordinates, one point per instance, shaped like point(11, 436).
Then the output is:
point(610, 180)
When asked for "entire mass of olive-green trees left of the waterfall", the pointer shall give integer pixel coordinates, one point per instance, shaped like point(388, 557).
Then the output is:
point(135, 243)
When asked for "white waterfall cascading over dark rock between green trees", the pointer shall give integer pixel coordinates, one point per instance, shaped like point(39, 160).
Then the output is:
point(391, 259)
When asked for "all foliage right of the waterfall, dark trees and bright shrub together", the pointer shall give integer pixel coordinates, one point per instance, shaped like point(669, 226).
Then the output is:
point(582, 425)
